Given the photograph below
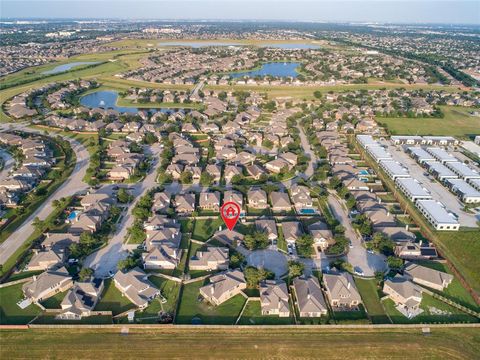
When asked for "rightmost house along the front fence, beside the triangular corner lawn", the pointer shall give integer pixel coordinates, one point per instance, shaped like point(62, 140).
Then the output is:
point(405, 294)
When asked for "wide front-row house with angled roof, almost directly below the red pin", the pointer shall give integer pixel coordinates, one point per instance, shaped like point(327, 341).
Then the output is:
point(224, 286)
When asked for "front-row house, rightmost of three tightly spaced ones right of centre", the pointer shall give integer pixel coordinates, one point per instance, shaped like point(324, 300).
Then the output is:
point(341, 291)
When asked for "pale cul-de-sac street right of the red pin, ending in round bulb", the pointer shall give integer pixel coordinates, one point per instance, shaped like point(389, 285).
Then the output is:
point(357, 255)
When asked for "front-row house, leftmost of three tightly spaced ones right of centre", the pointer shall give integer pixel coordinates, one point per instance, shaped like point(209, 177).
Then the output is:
point(274, 298)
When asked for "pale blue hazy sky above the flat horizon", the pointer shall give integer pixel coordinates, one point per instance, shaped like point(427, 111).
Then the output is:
point(385, 11)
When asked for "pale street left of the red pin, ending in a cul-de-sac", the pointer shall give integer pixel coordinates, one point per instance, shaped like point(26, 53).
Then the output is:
point(106, 259)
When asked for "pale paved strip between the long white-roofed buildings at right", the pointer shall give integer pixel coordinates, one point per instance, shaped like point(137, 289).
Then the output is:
point(437, 190)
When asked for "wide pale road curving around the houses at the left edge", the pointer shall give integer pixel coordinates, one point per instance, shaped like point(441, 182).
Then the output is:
point(74, 184)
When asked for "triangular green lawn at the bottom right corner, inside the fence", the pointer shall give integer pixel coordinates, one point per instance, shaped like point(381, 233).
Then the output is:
point(428, 304)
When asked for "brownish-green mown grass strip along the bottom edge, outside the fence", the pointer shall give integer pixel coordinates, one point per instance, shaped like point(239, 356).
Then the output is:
point(210, 343)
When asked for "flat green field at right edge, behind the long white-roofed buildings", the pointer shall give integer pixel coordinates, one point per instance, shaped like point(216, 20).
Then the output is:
point(457, 122)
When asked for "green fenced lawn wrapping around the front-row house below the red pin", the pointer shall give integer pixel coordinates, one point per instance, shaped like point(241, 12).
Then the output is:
point(191, 307)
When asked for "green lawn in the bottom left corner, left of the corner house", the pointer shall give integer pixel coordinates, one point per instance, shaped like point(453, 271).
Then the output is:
point(10, 313)
